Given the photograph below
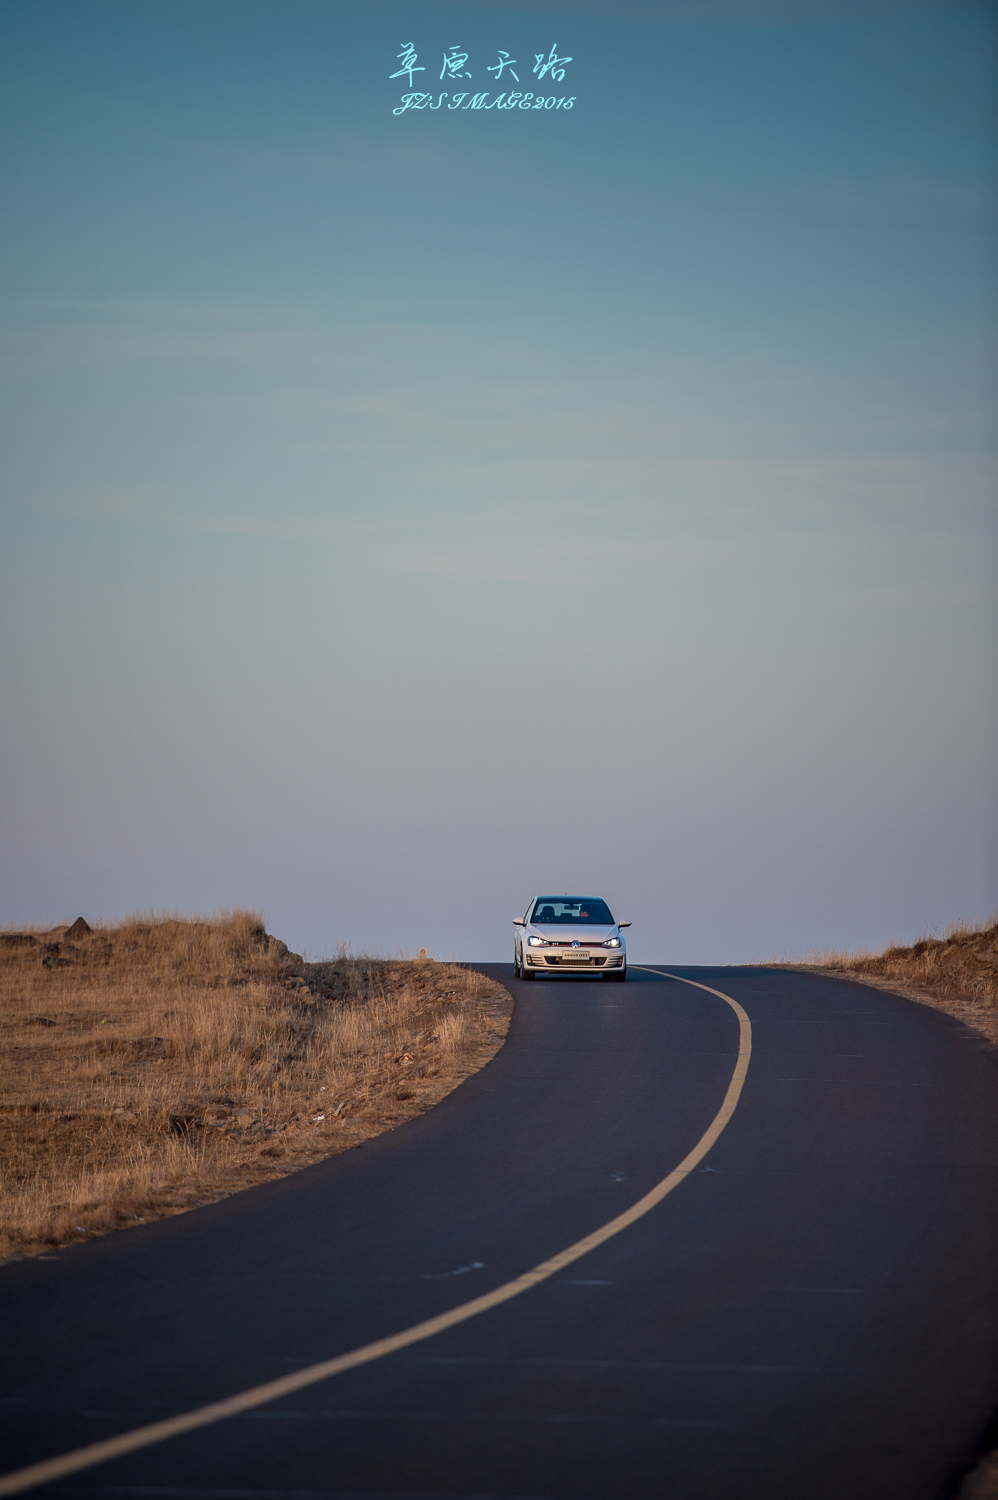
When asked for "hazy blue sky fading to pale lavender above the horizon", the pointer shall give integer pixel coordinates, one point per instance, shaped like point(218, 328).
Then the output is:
point(407, 514)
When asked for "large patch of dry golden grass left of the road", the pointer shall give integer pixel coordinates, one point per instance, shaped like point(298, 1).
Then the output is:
point(169, 1063)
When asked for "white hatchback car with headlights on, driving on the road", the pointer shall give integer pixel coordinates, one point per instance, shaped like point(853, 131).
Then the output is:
point(570, 935)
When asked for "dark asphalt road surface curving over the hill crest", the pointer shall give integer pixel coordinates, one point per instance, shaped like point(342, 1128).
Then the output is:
point(813, 1315)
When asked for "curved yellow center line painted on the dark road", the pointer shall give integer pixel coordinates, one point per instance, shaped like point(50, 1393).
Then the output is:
point(274, 1390)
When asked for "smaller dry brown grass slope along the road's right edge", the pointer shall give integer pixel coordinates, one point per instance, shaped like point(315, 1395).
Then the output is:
point(957, 973)
